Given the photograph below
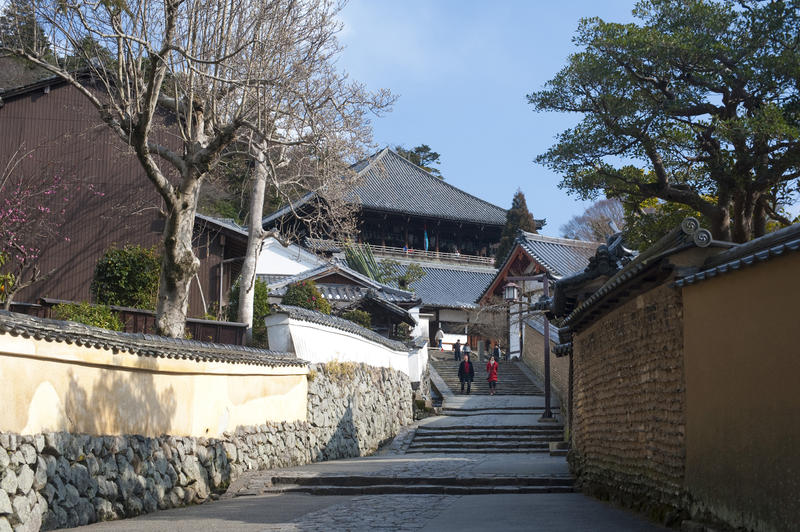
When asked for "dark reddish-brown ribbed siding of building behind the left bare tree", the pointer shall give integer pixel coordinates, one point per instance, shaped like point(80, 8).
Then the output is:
point(65, 136)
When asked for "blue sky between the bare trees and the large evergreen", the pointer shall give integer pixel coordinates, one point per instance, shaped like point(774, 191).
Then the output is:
point(461, 70)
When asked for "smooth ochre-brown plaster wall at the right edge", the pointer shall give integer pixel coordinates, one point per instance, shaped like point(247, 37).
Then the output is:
point(742, 357)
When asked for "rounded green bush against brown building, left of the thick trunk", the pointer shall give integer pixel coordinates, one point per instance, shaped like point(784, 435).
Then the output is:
point(127, 277)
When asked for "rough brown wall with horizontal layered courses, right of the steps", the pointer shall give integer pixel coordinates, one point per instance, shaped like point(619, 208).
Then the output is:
point(628, 420)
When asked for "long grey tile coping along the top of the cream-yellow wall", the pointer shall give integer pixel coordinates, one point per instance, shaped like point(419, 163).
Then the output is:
point(140, 344)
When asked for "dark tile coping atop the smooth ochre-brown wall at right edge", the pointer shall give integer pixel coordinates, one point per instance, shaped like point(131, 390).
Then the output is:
point(754, 252)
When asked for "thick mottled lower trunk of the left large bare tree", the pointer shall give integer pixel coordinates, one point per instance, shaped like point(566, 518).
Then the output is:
point(178, 265)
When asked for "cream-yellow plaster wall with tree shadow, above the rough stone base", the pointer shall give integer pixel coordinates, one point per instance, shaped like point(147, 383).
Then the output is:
point(53, 386)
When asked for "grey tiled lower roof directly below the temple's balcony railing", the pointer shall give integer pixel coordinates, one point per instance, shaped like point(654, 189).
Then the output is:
point(450, 287)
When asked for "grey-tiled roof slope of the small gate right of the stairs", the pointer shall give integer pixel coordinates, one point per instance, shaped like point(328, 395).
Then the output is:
point(559, 256)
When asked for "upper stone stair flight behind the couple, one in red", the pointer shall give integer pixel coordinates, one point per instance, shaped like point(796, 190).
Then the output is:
point(512, 380)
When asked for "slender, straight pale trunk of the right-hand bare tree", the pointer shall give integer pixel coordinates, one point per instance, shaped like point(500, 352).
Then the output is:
point(255, 235)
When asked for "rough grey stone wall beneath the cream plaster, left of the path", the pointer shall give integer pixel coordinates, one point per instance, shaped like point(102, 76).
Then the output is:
point(56, 480)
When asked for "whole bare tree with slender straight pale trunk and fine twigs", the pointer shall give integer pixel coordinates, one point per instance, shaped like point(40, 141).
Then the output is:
point(303, 124)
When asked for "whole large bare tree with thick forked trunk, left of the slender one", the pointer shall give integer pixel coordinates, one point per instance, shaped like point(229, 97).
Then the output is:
point(202, 63)
